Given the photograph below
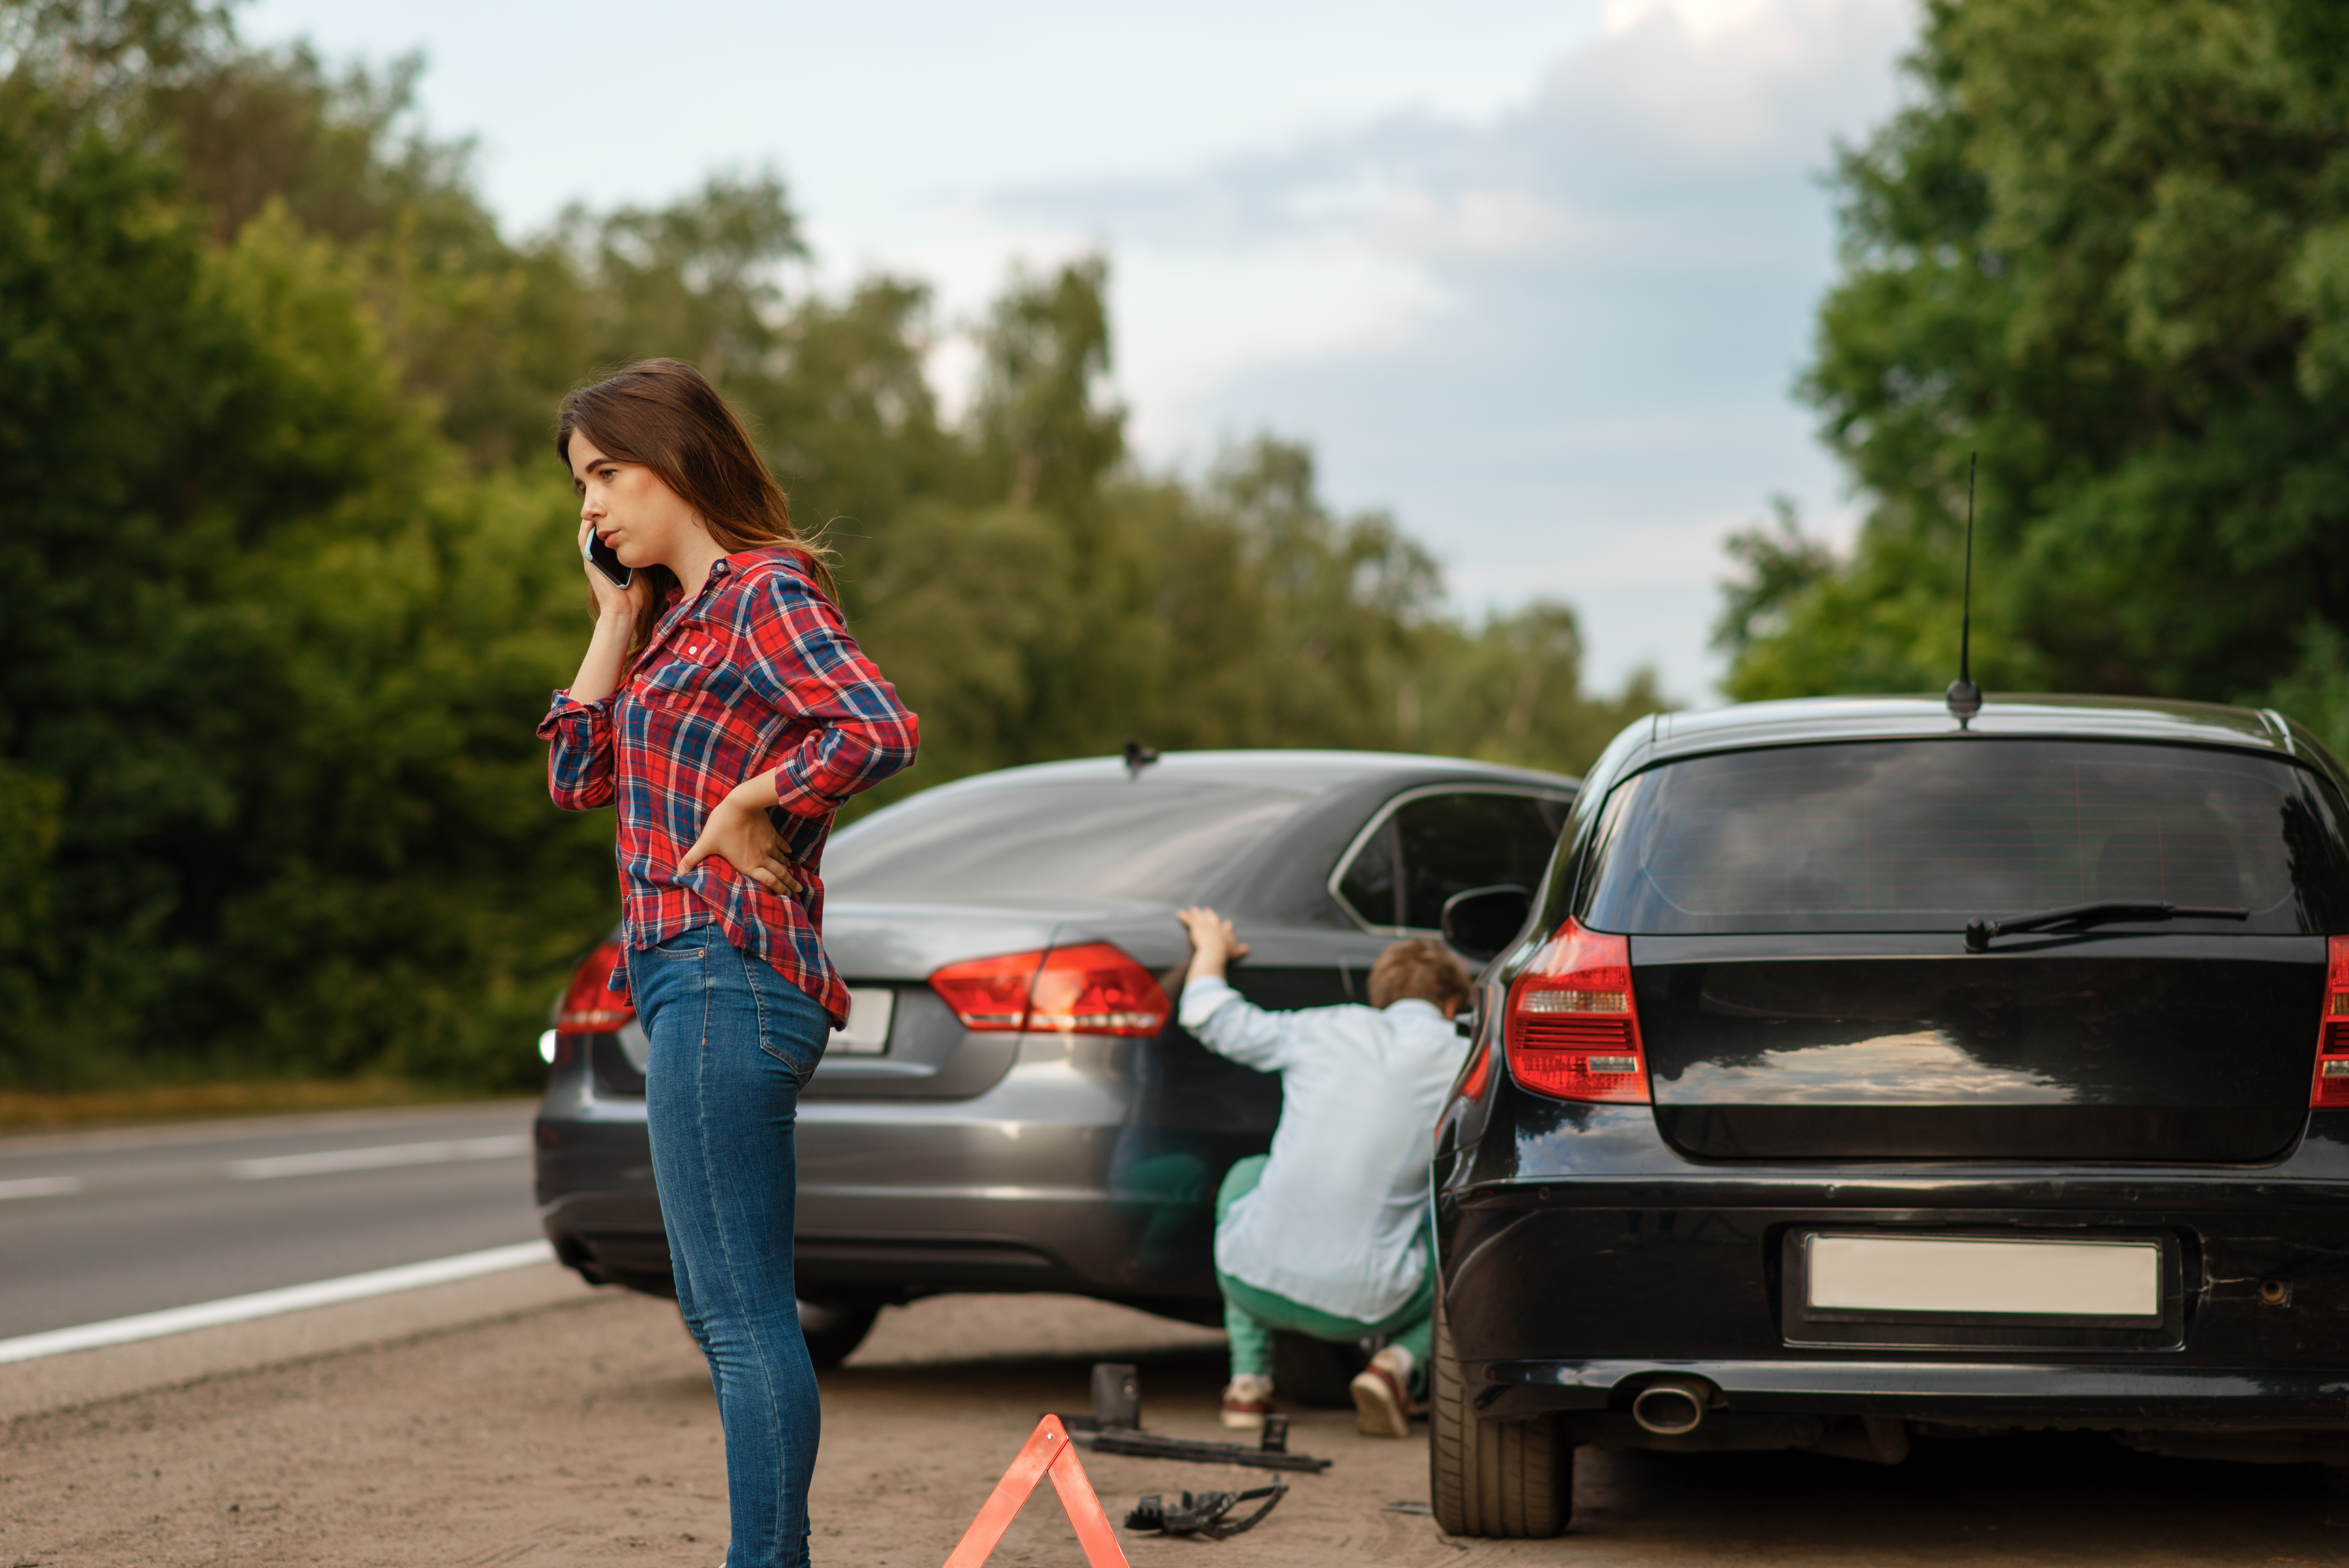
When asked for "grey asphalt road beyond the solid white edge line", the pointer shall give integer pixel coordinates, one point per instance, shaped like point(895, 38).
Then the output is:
point(109, 1224)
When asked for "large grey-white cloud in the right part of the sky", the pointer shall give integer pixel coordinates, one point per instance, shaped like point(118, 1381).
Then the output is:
point(1556, 339)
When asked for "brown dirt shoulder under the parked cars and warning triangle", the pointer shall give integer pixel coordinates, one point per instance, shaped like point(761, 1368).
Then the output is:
point(581, 1431)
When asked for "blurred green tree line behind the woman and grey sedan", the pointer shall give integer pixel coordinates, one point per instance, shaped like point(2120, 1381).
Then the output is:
point(292, 555)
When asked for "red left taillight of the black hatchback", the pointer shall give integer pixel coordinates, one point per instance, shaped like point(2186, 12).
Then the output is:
point(1573, 1029)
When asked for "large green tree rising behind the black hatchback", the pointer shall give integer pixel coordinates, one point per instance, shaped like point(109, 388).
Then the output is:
point(2104, 248)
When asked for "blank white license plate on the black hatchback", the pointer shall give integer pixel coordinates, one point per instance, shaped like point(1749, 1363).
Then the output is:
point(1991, 1278)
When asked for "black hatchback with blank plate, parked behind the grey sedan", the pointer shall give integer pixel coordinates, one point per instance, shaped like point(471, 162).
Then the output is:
point(1871, 1074)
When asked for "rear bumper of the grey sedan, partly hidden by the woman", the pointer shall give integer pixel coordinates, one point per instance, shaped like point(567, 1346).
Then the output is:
point(1046, 1182)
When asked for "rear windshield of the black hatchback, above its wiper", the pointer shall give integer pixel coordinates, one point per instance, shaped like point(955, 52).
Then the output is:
point(1904, 837)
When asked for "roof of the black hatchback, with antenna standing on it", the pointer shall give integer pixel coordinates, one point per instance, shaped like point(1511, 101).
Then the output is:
point(2028, 715)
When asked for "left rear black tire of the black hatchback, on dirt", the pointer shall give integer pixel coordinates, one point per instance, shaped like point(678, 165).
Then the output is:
point(1490, 1478)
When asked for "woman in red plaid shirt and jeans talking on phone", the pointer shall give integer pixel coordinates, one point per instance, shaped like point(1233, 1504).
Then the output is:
point(727, 715)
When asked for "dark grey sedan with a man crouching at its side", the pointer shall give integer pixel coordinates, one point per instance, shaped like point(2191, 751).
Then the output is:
point(1011, 1104)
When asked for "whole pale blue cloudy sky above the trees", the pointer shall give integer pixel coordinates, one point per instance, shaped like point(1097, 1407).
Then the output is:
point(1535, 278)
